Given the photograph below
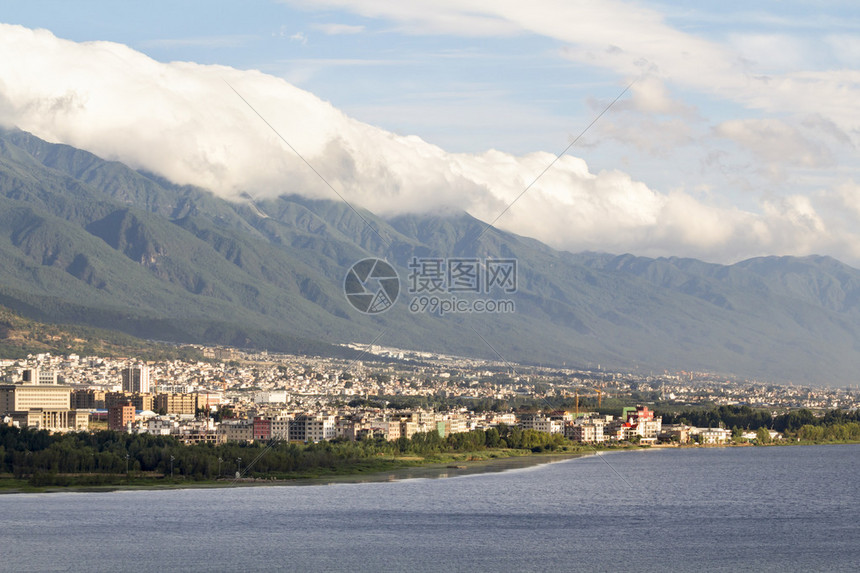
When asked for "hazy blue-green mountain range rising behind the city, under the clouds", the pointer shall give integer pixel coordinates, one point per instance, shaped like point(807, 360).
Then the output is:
point(89, 241)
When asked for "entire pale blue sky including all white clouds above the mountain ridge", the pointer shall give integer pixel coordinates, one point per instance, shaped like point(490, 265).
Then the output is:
point(734, 133)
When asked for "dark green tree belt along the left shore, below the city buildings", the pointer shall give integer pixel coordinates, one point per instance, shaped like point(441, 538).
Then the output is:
point(107, 457)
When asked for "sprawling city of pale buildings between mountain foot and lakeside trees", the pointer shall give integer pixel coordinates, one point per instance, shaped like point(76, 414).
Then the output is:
point(387, 393)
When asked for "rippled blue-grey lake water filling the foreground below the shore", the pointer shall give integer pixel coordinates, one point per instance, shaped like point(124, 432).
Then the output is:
point(762, 509)
